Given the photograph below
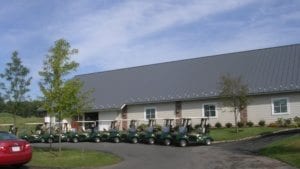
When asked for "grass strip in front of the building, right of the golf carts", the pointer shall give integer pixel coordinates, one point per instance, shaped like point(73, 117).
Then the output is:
point(230, 133)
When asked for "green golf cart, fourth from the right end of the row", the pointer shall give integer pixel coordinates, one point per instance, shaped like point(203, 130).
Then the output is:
point(131, 135)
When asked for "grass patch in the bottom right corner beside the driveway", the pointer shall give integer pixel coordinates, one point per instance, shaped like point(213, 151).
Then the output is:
point(287, 150)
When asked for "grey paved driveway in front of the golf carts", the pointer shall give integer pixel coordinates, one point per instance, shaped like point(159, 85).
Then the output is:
point(225, 155)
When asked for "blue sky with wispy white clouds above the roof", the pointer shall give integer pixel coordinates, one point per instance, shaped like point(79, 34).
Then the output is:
point(114, 34)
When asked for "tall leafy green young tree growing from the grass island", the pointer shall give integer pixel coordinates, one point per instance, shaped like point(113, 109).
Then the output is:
point(61, 96)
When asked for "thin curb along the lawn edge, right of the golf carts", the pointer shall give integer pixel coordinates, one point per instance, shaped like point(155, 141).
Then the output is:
point(279, 132)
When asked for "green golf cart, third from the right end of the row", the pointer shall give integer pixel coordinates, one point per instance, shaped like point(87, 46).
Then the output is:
point(148, 136)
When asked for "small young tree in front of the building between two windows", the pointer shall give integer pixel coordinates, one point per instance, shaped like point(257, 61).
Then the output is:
point(234, 95)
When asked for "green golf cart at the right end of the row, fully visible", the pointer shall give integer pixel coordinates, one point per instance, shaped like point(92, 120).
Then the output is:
point(185, 136)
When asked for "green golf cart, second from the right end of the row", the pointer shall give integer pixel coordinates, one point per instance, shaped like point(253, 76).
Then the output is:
point(165, 136)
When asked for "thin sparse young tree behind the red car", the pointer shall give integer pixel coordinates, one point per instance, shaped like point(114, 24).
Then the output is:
point(17, 83)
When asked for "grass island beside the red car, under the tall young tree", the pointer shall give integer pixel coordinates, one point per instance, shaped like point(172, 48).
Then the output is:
point(71, 158)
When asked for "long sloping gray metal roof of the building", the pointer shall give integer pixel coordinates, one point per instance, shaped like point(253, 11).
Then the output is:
point(270, 70)
